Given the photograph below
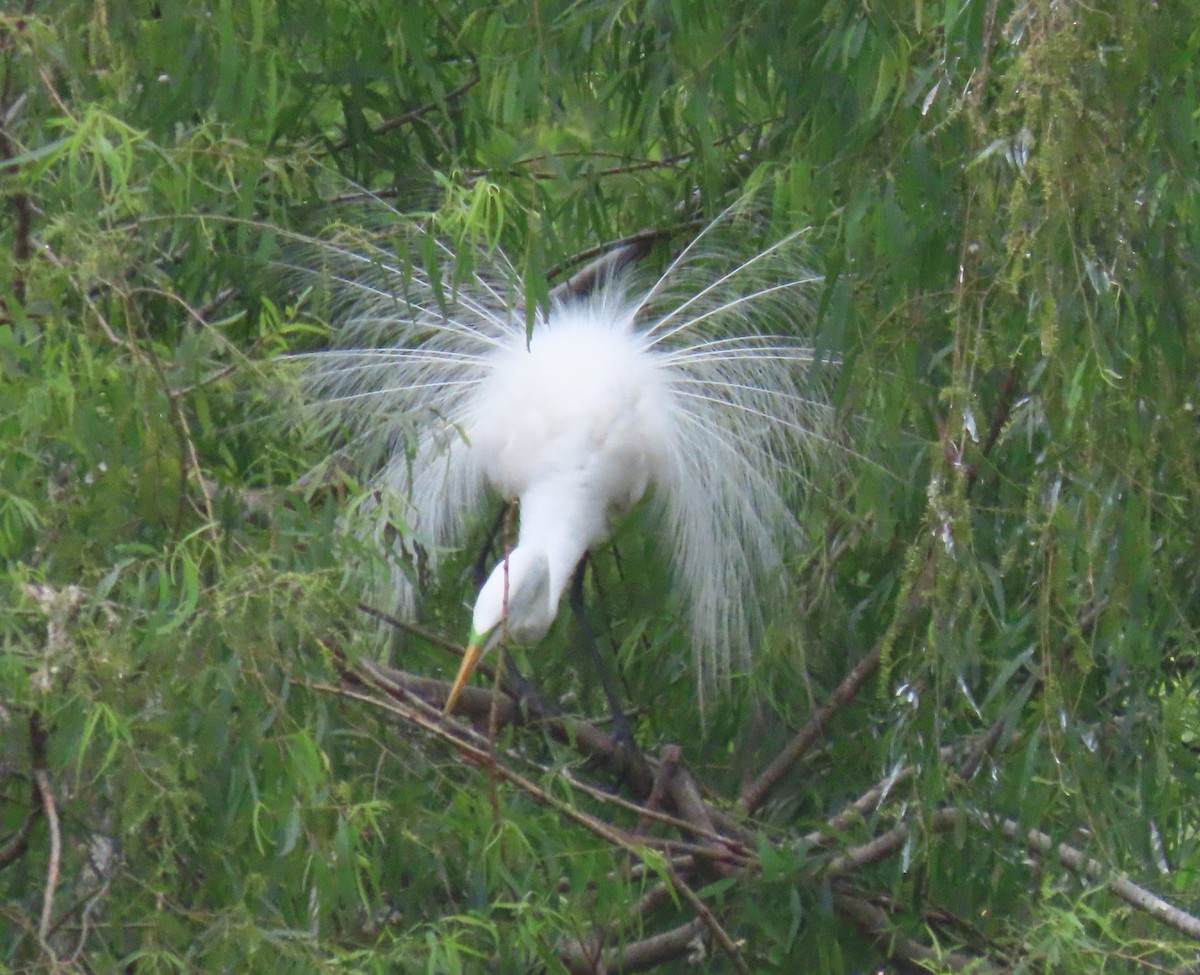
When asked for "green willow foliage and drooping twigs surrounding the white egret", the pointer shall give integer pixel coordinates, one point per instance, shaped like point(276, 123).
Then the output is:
point(1005, 201)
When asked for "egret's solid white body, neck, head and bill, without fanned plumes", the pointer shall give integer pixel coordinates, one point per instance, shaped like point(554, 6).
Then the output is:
point(575, 424)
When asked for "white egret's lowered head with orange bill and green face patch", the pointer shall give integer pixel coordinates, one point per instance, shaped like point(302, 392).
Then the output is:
point(517, 591)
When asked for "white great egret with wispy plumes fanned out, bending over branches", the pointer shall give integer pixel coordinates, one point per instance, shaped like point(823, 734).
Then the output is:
point(699, 390)
